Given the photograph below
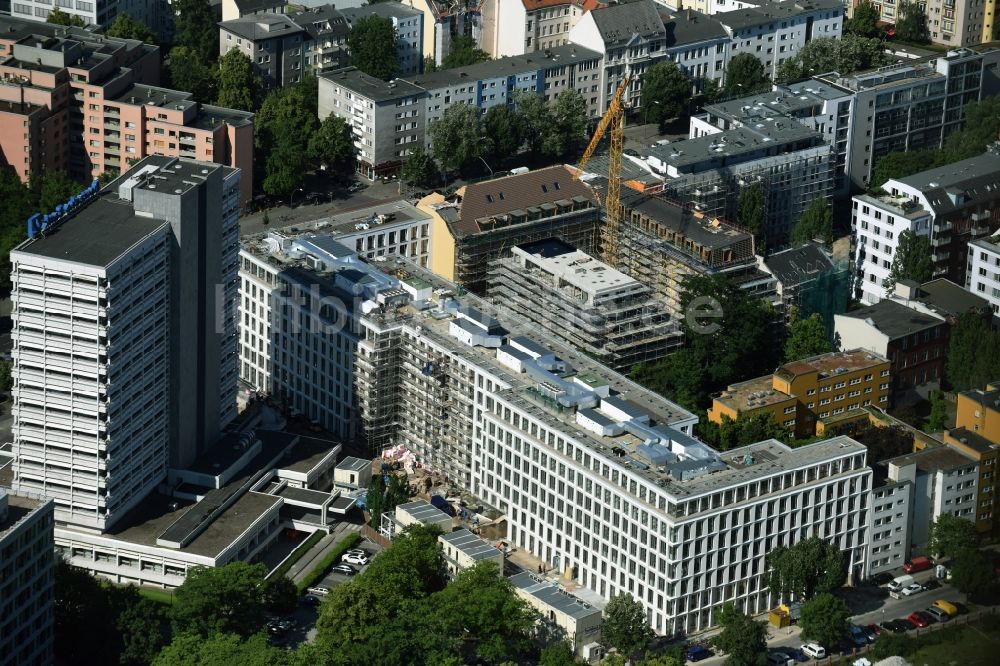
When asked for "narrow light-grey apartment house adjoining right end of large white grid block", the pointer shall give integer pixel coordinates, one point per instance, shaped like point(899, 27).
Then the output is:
point(890, 526)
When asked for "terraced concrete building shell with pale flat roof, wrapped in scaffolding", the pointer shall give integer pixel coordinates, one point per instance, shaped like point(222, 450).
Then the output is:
point(585, 303)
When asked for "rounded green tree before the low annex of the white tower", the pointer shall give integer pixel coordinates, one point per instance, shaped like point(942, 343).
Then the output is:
point(227, 599)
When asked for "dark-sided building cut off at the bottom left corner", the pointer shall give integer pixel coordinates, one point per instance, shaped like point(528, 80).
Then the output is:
point(28, 566)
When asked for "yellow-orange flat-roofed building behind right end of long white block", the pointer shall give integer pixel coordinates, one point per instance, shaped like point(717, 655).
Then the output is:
point(809, 395)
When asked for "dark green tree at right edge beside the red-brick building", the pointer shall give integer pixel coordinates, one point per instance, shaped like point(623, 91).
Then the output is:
point(973, 353)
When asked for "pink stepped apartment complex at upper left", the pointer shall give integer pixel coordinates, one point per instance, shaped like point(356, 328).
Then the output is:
point(86, 104)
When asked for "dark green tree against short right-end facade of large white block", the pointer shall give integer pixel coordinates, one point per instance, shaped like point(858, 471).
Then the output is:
point(810, 566)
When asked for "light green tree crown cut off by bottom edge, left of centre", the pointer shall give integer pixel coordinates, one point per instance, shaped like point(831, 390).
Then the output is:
point(219, 649)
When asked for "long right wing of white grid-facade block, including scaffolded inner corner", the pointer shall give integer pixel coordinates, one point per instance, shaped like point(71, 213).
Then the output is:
point(597, 477)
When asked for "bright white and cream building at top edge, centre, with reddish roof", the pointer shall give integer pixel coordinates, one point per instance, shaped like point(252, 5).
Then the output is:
point(514, 27)
